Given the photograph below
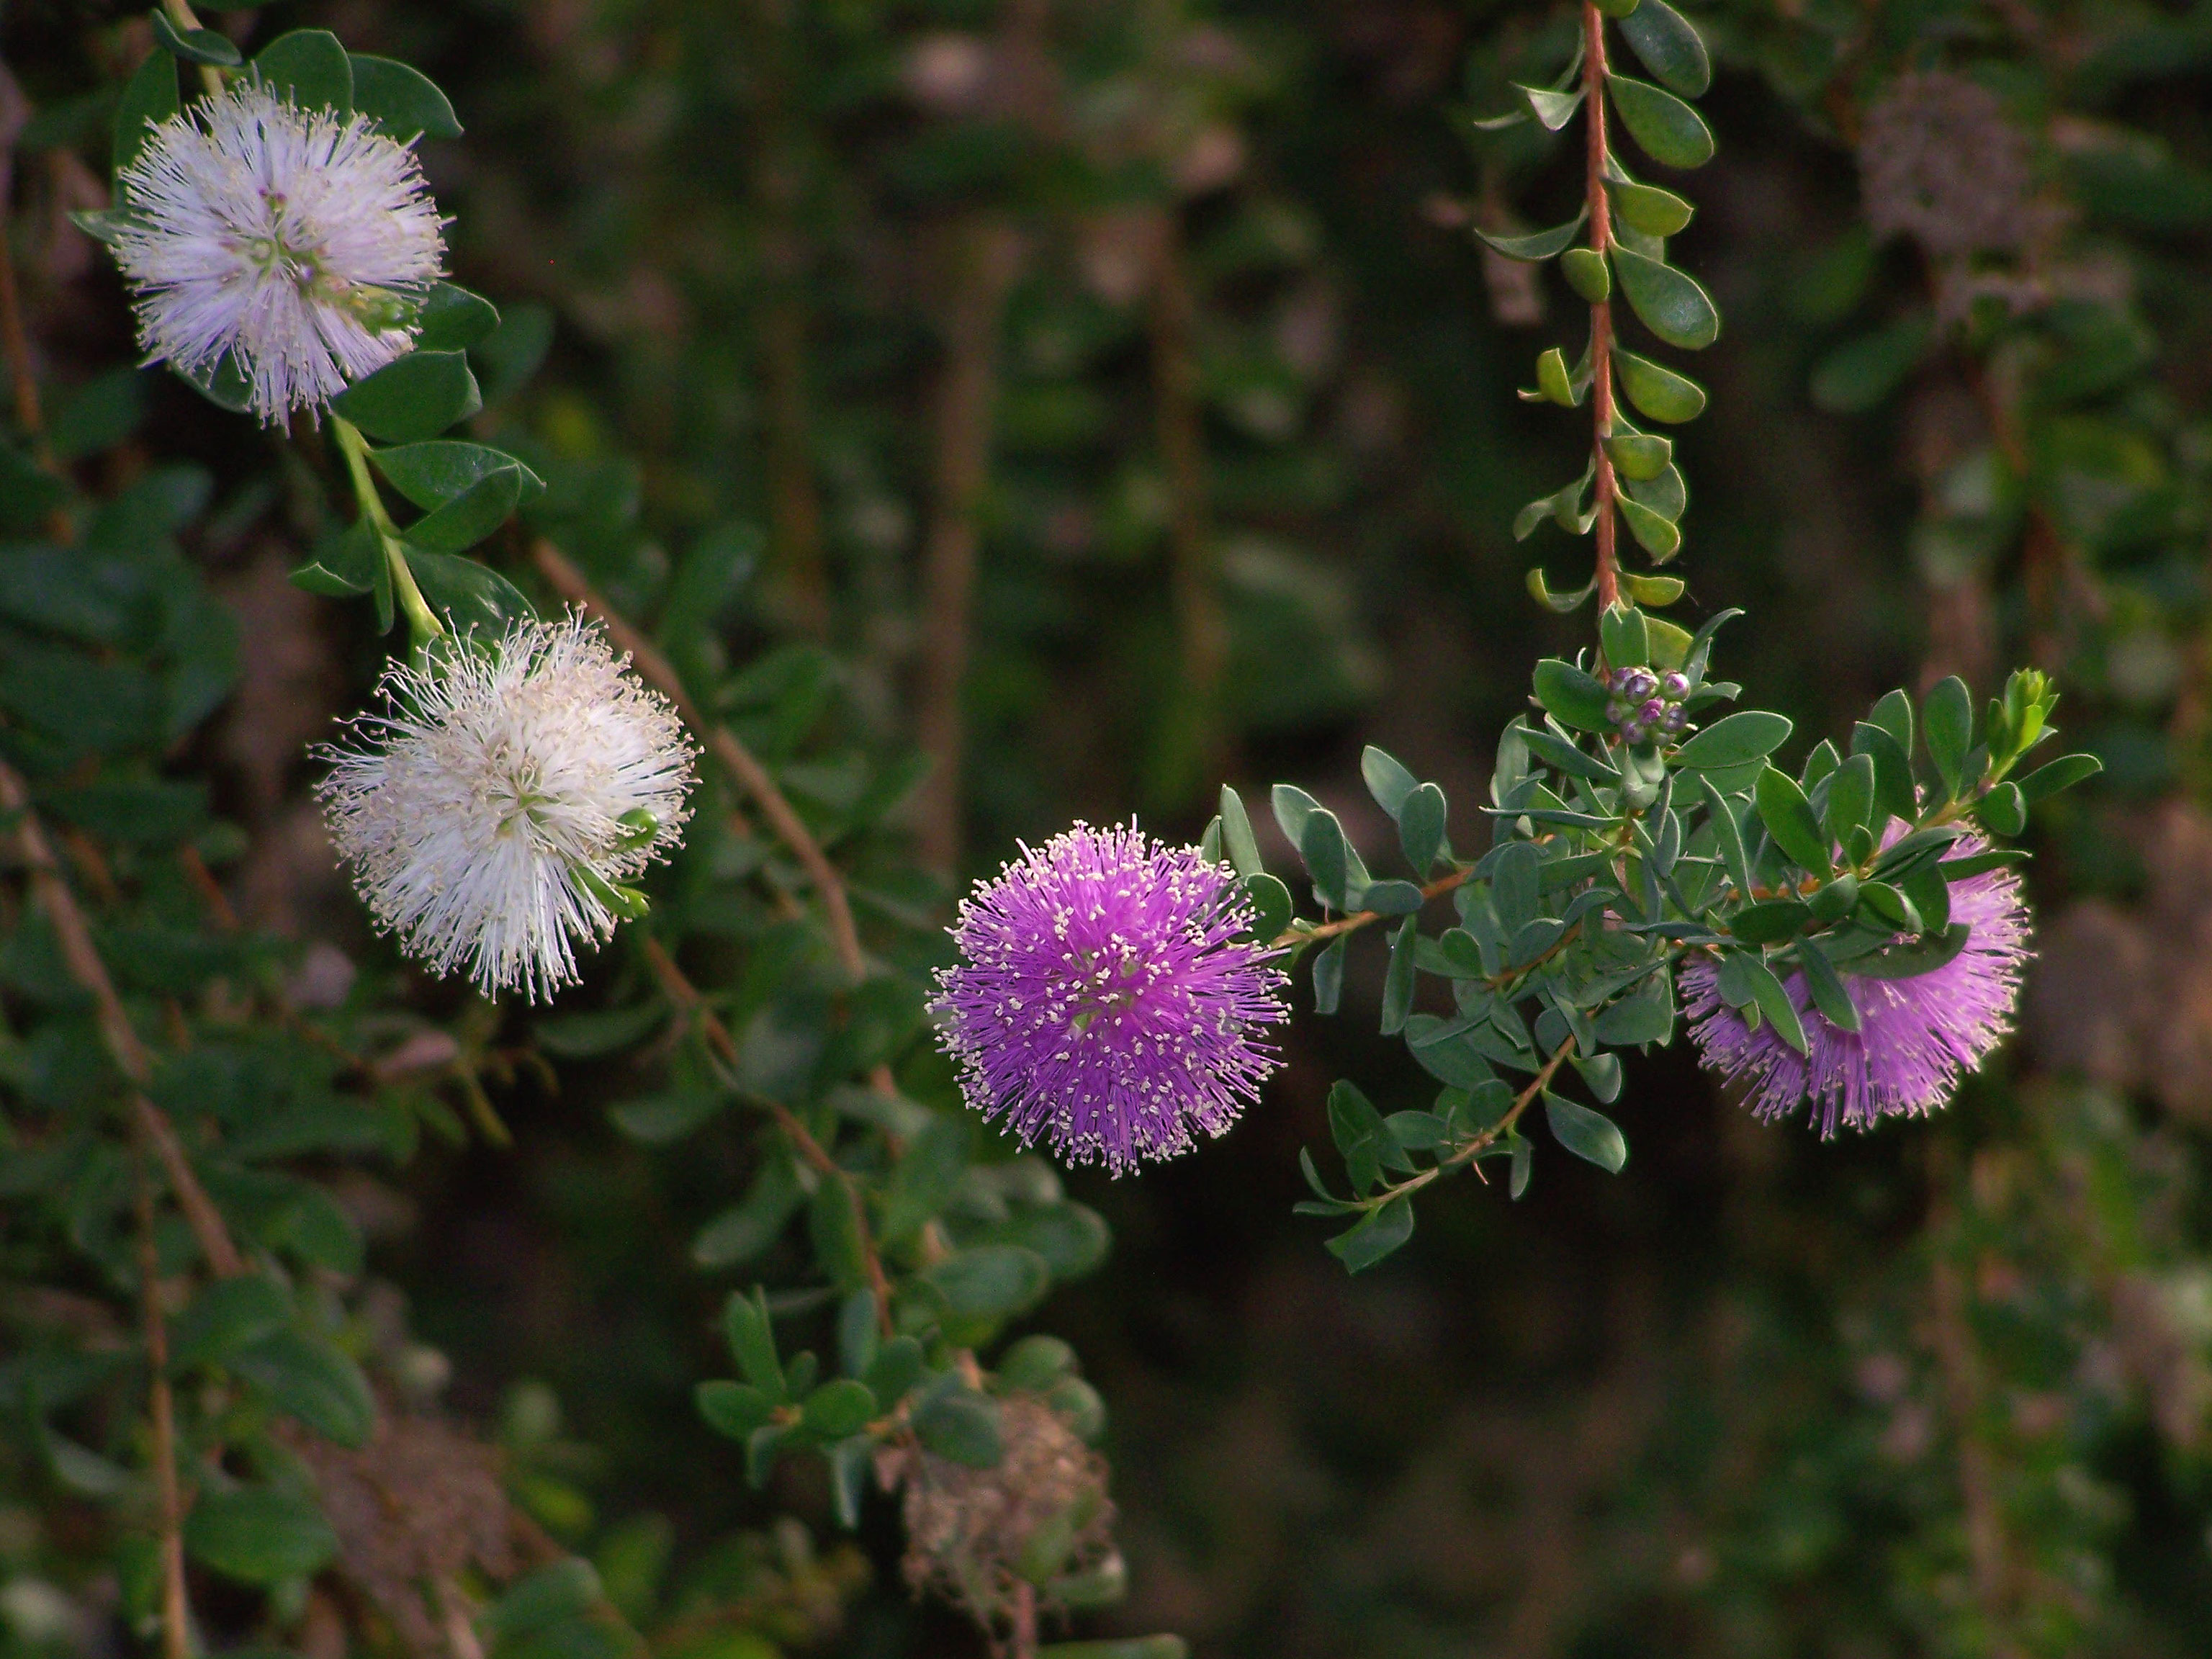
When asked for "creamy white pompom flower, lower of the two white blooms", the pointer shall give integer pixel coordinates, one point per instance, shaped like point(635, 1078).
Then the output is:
point(499, 806)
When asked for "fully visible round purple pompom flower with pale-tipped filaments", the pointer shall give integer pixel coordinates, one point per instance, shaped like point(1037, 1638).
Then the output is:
point(1107, 1001)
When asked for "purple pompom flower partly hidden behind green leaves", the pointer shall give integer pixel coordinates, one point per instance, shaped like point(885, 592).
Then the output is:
point(1914, 1041)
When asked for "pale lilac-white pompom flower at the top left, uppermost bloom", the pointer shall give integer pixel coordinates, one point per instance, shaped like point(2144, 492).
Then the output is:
point(291, 240)
